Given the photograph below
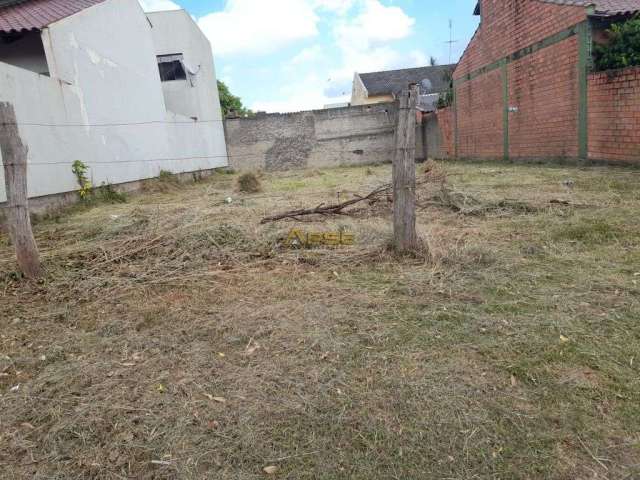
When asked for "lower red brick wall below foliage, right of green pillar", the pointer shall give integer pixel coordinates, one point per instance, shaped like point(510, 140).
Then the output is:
point(614, 115)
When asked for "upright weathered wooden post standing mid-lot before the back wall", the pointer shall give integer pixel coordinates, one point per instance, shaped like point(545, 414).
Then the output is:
point(405, 238)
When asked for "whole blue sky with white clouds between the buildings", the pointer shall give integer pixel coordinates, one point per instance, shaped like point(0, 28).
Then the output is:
point(288, 55)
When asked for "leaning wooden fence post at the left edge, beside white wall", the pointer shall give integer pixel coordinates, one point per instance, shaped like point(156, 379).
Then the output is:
point(14, 158)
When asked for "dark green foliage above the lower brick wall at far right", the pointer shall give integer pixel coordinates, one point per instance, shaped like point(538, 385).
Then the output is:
point(623, 48)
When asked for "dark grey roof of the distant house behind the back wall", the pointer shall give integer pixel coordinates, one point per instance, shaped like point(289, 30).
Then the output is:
point(393, 81)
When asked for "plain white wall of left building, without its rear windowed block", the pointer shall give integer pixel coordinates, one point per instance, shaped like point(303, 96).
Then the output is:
point(104, 106)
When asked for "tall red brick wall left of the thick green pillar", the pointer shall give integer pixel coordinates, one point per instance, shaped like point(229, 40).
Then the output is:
point(543, 86)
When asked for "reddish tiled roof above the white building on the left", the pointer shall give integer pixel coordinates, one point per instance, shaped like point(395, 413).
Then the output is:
point(25, 15)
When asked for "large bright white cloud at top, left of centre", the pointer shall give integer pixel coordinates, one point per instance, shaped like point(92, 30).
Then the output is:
point(259, 26)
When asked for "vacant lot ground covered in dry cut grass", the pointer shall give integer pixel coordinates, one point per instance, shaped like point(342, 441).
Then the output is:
point(175, 338)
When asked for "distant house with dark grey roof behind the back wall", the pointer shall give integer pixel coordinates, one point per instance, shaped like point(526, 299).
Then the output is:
point(380, 87)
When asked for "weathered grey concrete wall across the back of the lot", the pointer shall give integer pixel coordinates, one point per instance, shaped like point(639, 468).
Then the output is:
point(356, 135)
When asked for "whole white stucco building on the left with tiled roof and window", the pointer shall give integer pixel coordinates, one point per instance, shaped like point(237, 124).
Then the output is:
point(127, 93)
